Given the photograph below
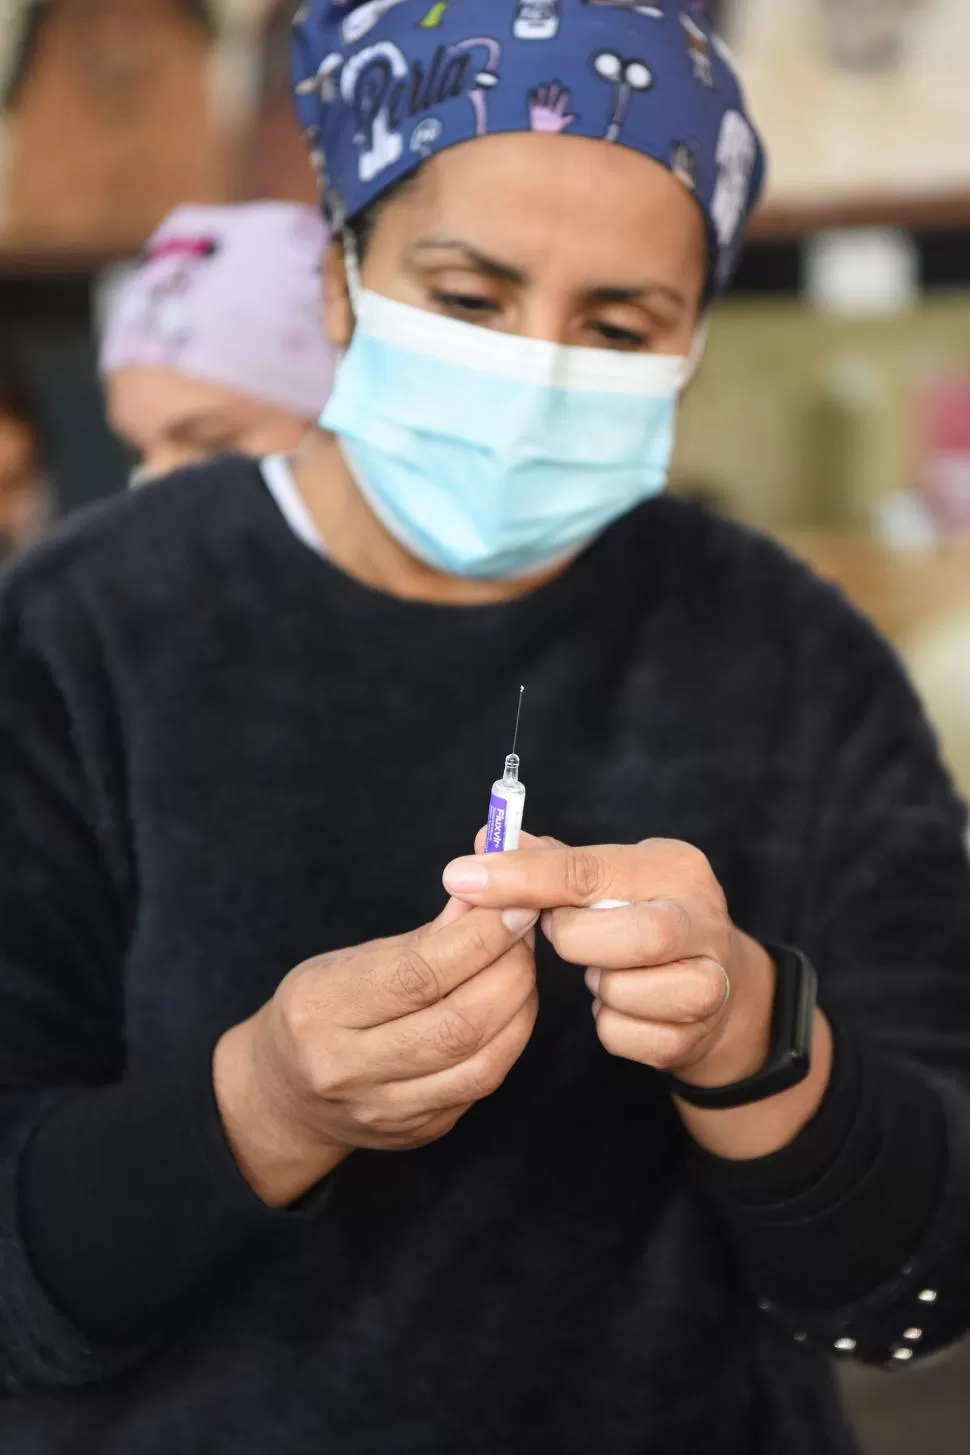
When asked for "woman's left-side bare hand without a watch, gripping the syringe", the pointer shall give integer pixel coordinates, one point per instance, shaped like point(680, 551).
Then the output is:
point(382, 1047)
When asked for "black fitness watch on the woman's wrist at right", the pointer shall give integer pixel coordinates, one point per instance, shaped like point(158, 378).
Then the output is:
point(792, 1028)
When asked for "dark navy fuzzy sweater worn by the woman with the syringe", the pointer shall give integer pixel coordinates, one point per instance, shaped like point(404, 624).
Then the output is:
point(219, 756)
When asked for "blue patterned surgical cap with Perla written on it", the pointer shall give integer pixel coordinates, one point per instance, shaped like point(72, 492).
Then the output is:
point(382, 85)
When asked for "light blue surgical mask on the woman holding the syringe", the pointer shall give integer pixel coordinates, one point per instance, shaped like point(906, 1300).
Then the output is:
point(494, 456)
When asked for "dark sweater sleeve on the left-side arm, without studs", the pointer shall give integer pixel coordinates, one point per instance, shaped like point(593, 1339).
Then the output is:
point(120, 1200)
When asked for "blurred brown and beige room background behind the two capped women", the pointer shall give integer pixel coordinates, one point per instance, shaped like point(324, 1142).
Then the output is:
point(834, 405)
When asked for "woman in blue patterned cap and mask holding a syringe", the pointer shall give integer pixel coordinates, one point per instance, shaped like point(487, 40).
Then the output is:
point(613, 1144)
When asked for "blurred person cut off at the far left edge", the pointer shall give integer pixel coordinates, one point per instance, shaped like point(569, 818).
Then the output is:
point(25, 501)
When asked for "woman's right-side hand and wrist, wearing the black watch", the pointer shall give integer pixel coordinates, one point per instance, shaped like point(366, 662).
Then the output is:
point(676, 984)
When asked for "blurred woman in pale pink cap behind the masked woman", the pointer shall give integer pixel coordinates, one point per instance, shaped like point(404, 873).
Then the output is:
point(215, 343)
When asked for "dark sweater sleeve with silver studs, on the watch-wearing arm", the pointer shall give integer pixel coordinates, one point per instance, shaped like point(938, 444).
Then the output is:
point(876, 1195)
